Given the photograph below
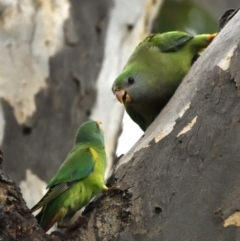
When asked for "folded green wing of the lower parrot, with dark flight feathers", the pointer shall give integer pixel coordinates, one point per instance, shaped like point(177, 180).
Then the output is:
point(78, 165)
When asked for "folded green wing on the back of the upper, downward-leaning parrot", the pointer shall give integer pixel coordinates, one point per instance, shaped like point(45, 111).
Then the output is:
point(169, 42)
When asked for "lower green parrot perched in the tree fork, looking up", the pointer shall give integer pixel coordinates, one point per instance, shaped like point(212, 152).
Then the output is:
point(77, 181)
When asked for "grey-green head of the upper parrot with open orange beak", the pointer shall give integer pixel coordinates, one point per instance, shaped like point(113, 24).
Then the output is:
point(130, 86)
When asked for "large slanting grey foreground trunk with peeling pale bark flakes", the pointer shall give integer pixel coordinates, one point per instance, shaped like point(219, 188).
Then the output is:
point(181, 180)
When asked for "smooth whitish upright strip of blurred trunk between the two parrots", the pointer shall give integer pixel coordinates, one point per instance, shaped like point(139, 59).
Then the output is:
point(129, 23)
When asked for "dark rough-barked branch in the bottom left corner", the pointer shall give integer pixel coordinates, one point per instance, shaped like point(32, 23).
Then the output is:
point(17, 223)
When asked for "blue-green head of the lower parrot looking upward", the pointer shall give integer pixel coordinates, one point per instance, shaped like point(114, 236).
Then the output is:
point(90, 131)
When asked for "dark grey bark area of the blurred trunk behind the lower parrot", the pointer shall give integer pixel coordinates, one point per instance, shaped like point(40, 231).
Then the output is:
point(66, 102)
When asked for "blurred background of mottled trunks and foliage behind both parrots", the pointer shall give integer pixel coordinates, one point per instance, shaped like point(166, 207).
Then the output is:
point(58, 60)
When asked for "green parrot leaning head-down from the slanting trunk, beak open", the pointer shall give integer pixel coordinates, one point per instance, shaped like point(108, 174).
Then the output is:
point(154, 71)
